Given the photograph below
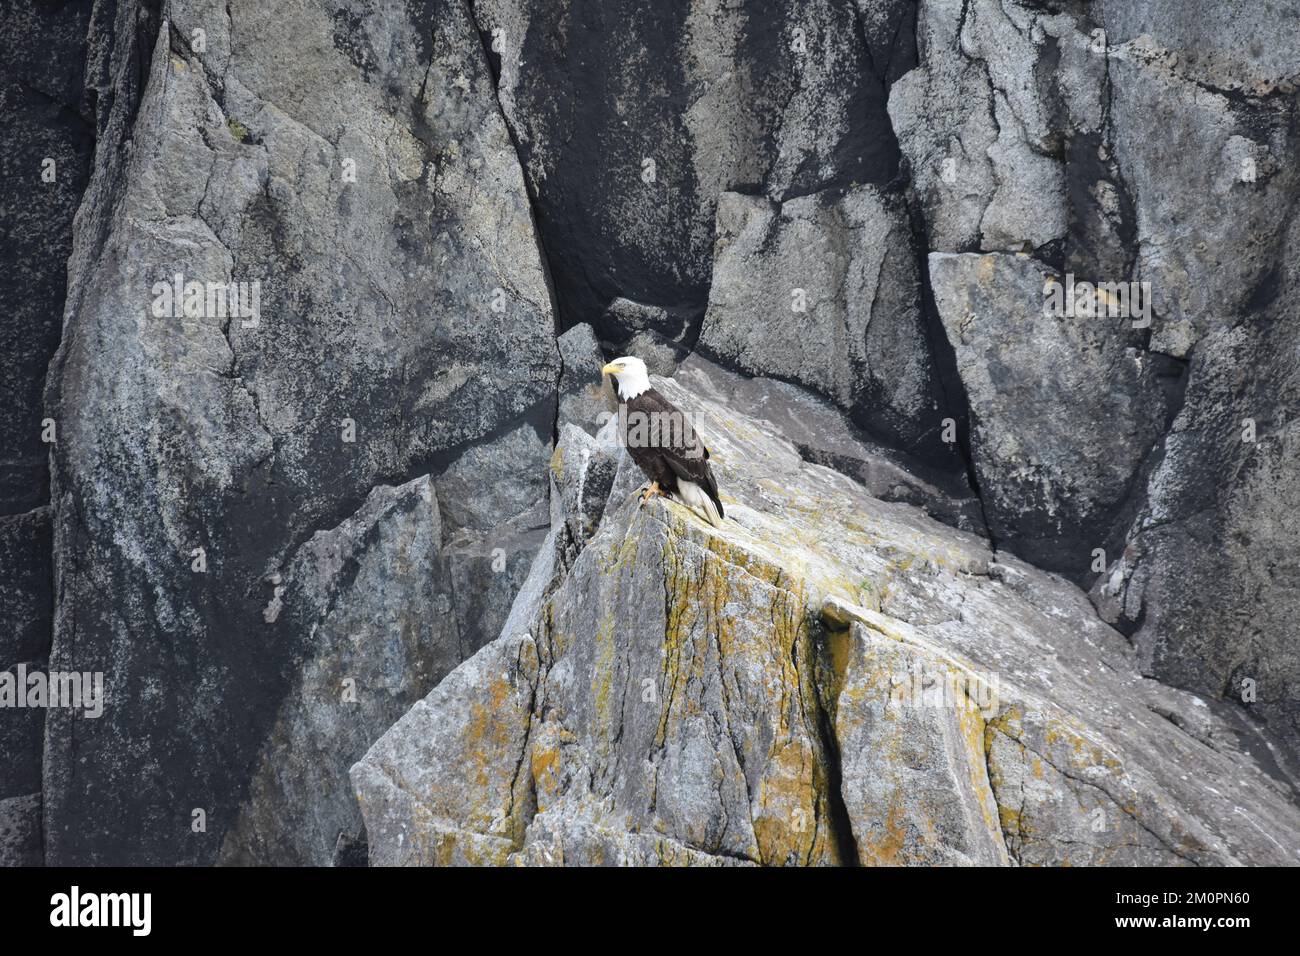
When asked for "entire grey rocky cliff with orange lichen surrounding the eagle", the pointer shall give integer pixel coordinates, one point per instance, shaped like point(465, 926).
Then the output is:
point(987, 310)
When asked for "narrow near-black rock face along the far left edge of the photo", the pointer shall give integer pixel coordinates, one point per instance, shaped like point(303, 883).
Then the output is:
point(44, 168)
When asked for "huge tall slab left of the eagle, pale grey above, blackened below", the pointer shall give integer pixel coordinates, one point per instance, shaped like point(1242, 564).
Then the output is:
point(408, 302)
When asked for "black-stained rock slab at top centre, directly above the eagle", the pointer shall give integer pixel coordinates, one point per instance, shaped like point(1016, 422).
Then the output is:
point(631, 122)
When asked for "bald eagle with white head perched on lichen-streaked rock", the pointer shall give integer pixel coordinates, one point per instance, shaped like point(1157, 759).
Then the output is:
point(662, 443)
